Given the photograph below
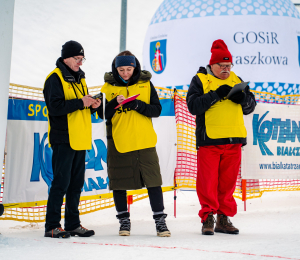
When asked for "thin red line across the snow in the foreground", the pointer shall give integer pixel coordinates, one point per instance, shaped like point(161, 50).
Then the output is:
point(182, 248)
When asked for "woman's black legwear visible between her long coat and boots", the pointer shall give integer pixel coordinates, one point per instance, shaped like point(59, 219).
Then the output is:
point(155, 197)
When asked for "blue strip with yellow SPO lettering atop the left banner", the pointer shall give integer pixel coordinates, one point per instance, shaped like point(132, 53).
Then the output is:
point(32, 110)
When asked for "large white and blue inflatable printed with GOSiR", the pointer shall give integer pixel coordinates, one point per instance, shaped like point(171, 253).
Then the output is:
point(263, 37)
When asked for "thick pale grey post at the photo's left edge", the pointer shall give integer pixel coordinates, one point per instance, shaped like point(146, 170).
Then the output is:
point(6, 37)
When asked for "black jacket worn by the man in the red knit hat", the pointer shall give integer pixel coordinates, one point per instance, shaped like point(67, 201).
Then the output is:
point(198, 103)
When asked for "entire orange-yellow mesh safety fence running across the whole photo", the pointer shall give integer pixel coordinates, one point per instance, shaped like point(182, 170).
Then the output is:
point(186, 166)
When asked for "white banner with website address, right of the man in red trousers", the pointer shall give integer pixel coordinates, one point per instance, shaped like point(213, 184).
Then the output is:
point(273, 143)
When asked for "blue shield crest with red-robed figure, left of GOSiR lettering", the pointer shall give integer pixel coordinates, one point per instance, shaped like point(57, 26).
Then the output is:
point(158, 55)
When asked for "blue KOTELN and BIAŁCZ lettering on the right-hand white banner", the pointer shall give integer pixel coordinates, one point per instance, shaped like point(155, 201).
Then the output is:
point(277, 130)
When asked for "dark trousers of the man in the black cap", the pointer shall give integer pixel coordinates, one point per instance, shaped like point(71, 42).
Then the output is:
point(68, 179)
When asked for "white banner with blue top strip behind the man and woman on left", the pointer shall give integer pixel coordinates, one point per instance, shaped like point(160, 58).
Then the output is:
point(28, 168)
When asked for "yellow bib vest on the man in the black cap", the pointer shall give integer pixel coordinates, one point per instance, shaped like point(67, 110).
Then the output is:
point(79, 121)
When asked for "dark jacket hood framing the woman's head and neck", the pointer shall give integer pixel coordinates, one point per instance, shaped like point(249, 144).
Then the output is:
point(113, 77)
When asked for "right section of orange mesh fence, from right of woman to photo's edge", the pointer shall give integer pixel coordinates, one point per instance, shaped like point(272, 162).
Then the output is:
point(186, 167)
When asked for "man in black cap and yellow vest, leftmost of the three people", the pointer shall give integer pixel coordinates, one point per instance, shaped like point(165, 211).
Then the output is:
point(70, 135)
